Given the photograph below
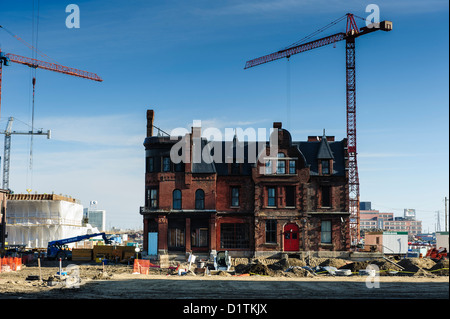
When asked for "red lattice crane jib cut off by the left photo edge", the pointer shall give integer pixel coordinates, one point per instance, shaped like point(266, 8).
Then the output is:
point(6, 58)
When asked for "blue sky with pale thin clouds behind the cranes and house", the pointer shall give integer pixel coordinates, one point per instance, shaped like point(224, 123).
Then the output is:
point(185, 59)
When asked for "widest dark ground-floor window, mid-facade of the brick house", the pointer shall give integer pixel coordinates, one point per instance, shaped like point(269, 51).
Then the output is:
point(234, 235)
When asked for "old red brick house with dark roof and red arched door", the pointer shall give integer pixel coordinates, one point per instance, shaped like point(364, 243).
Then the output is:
point(293, 200)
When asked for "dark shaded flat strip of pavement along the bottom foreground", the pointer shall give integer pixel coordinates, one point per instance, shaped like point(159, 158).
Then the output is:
point(157, 288)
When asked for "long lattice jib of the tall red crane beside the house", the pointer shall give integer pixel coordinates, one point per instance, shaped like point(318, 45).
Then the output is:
point(295, 50)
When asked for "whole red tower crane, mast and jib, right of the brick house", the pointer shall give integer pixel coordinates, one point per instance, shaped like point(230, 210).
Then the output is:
point(352, 32)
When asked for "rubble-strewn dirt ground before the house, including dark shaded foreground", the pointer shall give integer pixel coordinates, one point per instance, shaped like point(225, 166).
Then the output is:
point(286, 279)
